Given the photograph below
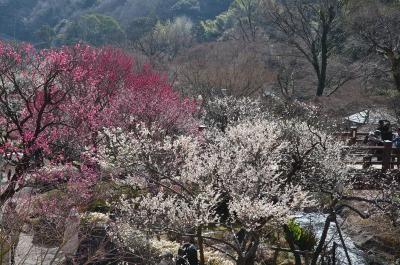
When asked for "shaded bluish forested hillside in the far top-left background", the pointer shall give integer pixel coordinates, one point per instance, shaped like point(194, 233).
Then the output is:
point(50, 23)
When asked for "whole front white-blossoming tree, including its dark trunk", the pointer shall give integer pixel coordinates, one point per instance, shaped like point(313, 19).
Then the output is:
point(246, 179)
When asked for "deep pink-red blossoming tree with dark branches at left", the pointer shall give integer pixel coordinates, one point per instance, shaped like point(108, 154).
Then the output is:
point(53, 99)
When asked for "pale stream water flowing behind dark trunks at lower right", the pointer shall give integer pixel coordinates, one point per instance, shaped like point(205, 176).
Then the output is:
point(317, 221)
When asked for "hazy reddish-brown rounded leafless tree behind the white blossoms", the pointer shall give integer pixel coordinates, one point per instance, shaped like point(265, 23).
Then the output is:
point(234, 67)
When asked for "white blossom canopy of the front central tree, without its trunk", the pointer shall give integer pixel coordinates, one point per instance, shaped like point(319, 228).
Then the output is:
point(186, 176)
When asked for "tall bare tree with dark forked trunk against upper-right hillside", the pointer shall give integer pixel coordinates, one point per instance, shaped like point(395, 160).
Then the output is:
point(313, 29)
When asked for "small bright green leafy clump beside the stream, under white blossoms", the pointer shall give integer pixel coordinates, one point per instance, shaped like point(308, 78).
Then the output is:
point(304, 238)
